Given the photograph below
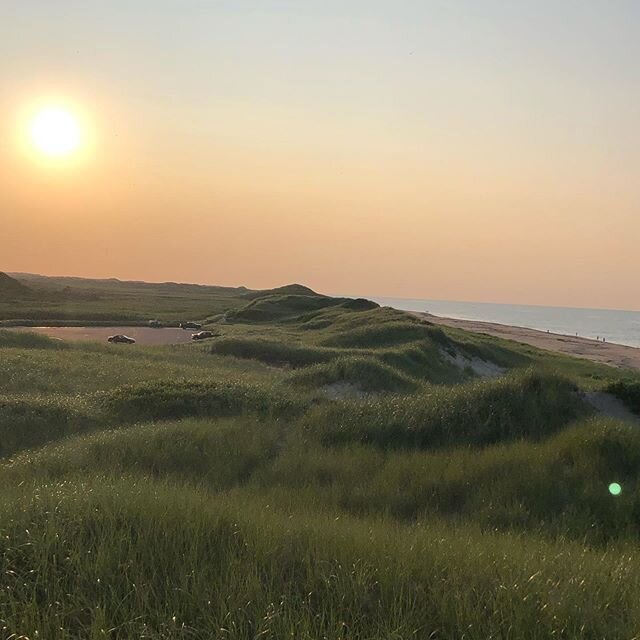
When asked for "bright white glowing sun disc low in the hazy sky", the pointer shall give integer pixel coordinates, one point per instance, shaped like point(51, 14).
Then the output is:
point(55, 132)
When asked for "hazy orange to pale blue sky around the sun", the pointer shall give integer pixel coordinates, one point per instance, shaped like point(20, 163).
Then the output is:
point(463, 150)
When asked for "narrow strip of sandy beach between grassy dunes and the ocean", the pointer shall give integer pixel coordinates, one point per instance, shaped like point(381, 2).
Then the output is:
point(615, 355)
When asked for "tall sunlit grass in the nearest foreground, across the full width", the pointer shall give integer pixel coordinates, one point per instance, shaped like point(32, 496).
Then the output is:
point(136, 558)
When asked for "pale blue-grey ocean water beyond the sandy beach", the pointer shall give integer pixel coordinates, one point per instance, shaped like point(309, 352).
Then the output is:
point(621, 327)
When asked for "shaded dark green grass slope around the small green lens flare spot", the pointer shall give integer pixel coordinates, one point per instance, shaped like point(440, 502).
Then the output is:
point(557, 487)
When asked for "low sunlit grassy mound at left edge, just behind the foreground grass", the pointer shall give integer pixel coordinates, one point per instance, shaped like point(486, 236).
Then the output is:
point(216, 454)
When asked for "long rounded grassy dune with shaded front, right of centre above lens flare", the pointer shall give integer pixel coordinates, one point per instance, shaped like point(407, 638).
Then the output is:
point(528, 405)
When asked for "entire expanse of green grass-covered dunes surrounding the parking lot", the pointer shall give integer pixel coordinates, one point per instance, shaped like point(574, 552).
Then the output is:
point(323, 468)
